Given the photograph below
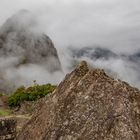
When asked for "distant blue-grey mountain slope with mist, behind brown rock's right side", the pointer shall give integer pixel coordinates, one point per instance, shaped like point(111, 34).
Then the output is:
point(123, 66)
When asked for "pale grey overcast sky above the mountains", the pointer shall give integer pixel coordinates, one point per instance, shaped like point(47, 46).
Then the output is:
point(110, 23)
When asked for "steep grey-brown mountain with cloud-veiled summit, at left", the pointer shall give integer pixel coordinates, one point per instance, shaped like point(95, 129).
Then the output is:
point(19, 37)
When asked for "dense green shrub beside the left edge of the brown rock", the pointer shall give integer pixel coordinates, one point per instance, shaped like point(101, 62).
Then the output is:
point(29, 94)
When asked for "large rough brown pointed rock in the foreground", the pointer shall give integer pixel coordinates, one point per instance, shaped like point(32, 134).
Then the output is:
point(87, 105)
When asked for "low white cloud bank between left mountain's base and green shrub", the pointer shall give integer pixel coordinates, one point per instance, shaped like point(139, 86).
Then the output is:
point(25, 75)
